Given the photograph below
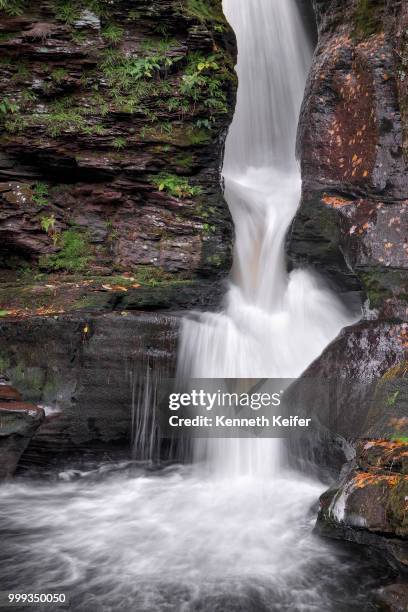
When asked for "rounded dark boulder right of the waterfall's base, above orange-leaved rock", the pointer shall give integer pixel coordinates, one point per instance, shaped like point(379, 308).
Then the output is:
point(350, 393)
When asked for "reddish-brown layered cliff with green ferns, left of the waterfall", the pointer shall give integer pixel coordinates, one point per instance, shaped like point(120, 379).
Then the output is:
point(113, 118)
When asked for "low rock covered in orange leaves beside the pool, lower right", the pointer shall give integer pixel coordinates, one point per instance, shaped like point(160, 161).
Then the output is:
point(370, 503)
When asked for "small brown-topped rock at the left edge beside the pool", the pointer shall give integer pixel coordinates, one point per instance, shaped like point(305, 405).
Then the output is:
point(18, 423)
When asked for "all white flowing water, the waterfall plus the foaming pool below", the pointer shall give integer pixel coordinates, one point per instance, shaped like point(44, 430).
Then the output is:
point(232, 532)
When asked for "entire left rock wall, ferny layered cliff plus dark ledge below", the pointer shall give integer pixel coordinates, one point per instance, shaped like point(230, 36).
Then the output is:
point(113, 117)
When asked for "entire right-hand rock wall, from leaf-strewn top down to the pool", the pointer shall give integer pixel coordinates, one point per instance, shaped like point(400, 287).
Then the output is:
point(352, 225)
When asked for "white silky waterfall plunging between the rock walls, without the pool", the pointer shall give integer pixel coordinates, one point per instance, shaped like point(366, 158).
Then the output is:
point(274, 323)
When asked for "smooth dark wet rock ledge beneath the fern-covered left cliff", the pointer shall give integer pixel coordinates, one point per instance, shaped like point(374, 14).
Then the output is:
point(90, 373)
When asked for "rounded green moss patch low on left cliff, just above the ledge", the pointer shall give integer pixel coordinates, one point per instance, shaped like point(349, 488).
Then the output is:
point(74, 256)
